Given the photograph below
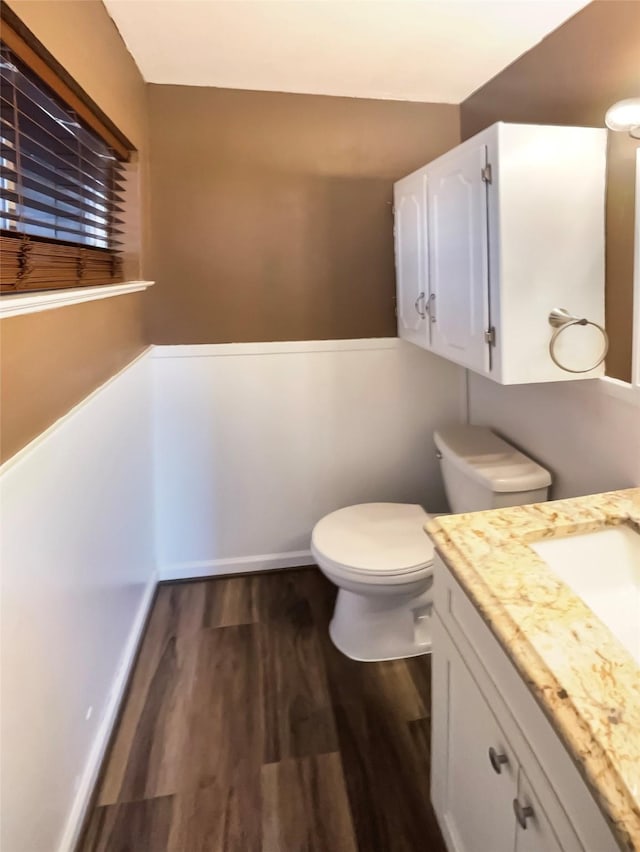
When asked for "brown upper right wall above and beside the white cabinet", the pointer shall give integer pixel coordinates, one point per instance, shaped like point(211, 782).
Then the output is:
point(572, 77)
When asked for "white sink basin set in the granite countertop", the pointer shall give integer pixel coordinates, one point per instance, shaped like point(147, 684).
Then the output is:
point(603, 568)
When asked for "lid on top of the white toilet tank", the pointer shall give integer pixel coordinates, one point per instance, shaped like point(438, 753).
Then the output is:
point(483, 456)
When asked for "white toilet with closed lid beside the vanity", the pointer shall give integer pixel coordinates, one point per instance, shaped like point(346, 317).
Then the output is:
point(381, 559)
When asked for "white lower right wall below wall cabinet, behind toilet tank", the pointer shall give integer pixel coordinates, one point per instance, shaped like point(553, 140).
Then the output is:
point(587, 438)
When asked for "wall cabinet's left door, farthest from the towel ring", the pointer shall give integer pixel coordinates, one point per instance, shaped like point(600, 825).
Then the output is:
point(410, 230)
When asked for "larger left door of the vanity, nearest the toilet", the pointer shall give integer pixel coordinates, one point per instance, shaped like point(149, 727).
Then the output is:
point(472, 798)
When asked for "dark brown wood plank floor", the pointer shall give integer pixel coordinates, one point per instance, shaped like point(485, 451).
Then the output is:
point(245, 730)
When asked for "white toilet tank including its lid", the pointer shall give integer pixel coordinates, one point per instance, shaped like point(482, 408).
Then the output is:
point(482, 471)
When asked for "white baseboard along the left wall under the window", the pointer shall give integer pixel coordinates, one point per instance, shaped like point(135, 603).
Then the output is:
point(89, 777)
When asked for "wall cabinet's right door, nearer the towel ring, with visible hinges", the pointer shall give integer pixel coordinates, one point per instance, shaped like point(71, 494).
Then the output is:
point(458, 257)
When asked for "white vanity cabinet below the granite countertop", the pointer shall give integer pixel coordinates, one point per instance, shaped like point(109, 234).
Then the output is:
point(501, 780)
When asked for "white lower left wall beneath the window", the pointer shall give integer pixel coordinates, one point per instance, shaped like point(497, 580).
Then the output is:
point(78, 575)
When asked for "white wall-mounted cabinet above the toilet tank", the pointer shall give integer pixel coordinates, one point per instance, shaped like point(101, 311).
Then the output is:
point(494, 235)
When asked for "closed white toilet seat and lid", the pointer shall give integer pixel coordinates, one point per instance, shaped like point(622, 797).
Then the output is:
point(375, 543)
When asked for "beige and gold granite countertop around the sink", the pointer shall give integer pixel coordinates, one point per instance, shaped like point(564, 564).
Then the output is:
point(585, 680)
